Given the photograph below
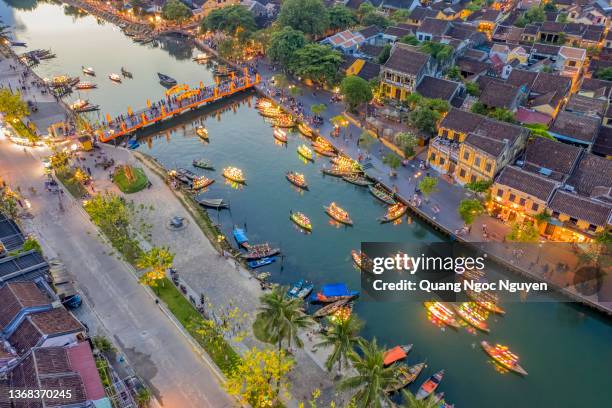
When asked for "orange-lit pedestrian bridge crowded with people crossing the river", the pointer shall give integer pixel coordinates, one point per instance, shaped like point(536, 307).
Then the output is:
point(178, 100)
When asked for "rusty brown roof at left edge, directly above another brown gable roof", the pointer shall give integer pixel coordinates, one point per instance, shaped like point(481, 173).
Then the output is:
point(16, 296)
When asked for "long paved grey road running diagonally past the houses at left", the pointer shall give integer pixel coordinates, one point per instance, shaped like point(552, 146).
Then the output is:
point(160, 354)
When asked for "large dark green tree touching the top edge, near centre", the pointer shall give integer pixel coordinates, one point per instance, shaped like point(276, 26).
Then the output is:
point(309, 16)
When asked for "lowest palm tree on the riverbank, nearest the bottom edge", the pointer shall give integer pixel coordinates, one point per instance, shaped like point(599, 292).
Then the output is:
point(372, 376)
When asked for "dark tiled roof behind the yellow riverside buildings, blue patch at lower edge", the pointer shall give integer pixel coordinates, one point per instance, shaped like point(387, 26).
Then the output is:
point(548, 156)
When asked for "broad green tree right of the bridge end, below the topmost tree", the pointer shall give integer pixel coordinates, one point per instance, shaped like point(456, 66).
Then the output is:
point(316, 62)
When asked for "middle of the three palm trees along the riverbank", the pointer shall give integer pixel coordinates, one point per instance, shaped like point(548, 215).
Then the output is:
point(343, 336)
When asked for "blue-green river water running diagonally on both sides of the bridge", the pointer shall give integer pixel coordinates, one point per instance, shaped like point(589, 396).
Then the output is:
point(566, 348)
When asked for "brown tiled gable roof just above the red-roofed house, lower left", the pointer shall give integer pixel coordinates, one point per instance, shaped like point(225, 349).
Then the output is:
point(51, 323)
